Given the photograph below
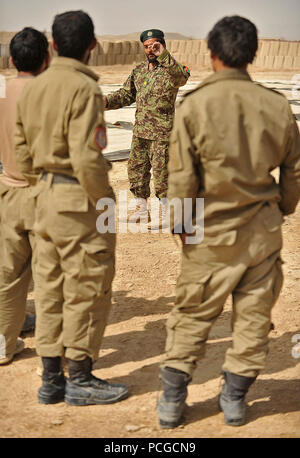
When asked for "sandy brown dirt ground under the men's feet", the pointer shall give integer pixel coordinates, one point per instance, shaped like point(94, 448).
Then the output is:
point(143, 295)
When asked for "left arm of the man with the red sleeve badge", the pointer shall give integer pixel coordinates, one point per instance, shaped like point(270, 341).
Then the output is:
point(23, 158)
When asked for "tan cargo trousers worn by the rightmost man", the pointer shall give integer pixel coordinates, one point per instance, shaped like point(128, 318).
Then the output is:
point(245, 263)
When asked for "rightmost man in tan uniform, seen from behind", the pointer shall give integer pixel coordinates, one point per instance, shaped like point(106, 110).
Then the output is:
point(229, 135)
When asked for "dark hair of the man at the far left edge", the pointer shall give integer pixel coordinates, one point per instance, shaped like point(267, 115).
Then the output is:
point(28, 49)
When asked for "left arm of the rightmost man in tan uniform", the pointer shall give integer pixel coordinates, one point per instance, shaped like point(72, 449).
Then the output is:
point(183, 171)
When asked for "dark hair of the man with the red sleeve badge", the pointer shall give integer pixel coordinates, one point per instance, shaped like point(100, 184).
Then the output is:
point(72, 33)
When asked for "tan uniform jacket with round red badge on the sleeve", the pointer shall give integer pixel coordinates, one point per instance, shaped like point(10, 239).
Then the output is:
point(61, 129)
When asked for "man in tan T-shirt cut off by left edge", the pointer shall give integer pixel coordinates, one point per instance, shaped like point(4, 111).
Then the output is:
point(29, 52)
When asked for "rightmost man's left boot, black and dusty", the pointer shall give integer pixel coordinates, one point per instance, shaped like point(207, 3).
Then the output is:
point(171, 404)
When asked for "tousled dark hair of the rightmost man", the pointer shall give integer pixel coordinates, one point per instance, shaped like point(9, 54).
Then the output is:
point(234, 40)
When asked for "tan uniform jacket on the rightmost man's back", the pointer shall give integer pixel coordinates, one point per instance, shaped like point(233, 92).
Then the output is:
point(229, 134)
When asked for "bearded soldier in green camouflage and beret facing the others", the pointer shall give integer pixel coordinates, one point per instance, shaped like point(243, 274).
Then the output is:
point(153, 85)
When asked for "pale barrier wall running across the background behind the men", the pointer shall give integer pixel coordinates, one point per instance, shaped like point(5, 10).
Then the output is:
point(271, 54)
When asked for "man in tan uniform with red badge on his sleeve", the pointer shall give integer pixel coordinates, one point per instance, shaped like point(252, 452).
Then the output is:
point(60, 135)
